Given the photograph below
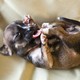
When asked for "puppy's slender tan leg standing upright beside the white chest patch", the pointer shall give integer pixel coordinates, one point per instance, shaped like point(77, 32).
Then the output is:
point(46, 52)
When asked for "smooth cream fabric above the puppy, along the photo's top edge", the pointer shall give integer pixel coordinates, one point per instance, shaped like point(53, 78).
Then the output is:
point(45, 10)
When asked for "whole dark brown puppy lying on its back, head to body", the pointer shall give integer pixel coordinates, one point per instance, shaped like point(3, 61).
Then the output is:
point(57, 49)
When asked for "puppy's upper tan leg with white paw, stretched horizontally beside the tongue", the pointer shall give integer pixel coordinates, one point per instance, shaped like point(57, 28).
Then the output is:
point(58, 31)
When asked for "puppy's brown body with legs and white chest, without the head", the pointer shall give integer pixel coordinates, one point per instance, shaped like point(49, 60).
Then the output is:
point(59, 48)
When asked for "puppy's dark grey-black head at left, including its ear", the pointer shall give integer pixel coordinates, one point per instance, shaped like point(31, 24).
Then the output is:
point(18, 37)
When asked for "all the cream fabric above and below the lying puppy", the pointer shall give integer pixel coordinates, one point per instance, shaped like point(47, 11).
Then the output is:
point(15, 68)
